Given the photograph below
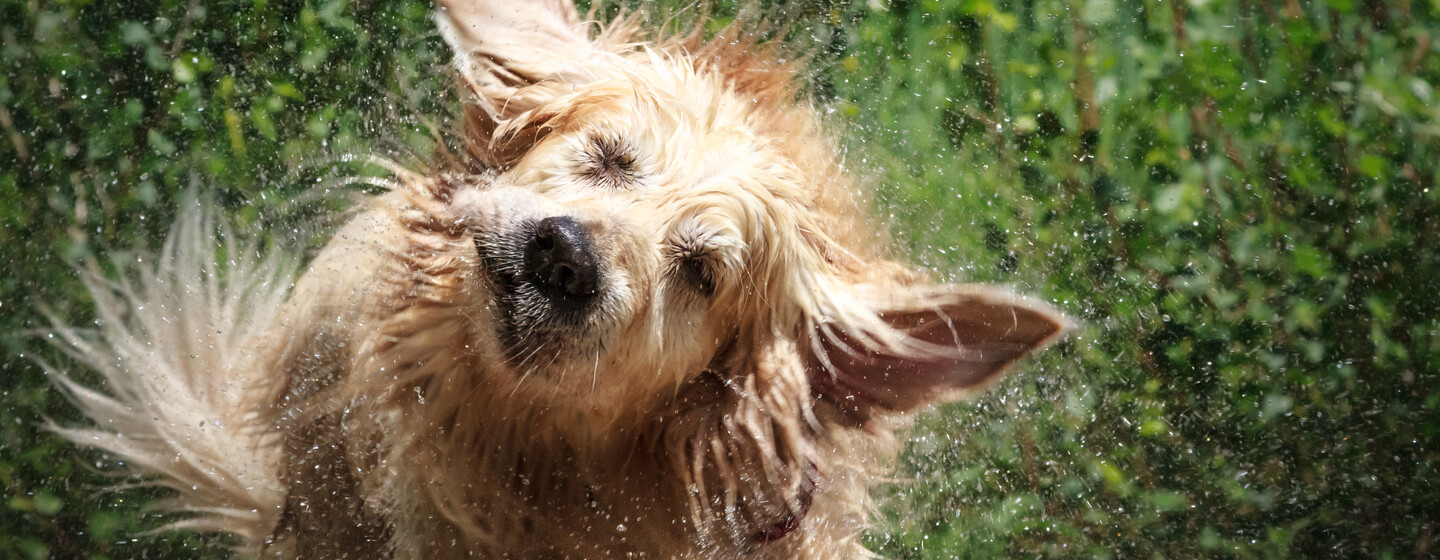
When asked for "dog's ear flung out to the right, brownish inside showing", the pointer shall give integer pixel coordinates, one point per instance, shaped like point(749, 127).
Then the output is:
point(927, 345)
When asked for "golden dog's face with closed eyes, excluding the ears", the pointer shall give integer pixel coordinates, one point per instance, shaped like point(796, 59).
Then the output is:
point(621, 245)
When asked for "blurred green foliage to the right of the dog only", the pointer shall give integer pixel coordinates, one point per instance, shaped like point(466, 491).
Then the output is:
point(1238, 199)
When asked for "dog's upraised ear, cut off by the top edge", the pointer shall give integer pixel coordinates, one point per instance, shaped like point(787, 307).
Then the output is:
point(516, 57)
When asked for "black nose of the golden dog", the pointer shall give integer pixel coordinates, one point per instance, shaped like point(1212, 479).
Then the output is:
point(559, 261)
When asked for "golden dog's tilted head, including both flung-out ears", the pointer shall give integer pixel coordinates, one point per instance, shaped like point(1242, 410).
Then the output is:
point(656, 211)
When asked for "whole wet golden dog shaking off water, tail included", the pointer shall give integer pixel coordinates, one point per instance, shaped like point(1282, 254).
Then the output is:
point(647, 317)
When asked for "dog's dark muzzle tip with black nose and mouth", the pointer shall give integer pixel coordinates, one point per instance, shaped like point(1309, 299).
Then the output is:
point(549, 287)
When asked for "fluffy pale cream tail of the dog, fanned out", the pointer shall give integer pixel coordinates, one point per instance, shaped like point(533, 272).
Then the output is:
point(172, 343)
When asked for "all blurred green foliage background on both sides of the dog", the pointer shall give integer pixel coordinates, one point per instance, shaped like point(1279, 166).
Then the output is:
point(1236, 199)
